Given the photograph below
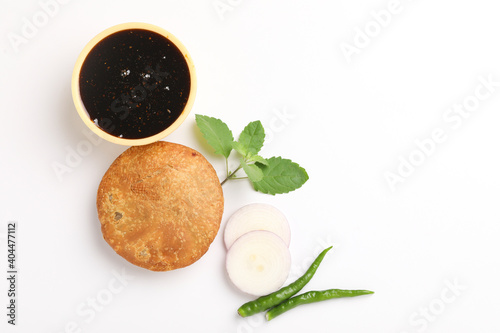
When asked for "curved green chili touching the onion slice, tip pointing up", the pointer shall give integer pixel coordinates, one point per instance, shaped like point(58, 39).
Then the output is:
point(265, 302)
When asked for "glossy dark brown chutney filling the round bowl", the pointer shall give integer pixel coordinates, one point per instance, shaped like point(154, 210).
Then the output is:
point(134, 83)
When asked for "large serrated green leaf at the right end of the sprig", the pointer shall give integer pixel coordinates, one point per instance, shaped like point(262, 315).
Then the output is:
point(280, 176)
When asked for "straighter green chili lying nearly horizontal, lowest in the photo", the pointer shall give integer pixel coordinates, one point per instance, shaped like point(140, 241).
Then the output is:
point(312, 297)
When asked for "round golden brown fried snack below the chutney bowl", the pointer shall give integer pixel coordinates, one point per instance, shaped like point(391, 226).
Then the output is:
point(160, 205)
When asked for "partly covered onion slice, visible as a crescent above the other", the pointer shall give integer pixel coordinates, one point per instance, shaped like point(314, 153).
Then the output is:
point(256, 216)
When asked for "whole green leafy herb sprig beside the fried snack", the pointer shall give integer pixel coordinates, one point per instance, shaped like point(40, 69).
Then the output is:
point(273, 175)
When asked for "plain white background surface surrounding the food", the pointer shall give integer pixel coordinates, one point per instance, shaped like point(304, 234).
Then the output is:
point(347, 120)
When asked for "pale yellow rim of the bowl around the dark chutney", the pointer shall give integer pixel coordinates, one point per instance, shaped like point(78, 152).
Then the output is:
point(75, 86)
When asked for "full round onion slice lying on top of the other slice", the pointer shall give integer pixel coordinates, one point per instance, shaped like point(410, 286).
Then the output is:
point(258, 263)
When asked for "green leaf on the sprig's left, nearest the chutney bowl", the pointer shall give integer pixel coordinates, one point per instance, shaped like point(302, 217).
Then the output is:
point(217, 134)
